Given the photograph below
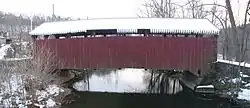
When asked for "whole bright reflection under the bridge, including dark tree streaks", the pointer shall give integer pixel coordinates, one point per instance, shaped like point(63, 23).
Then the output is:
point(130, 81)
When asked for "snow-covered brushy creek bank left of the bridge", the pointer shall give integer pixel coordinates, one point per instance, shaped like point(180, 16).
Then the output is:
point(31, 82)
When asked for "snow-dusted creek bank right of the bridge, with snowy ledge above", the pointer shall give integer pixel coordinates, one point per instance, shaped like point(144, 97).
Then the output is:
point(233, 83)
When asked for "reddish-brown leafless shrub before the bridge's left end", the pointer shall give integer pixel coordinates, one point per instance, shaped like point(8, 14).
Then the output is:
point(42, 67)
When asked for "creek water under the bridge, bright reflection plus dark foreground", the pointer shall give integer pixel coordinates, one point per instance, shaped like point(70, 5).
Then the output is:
point(127, 88)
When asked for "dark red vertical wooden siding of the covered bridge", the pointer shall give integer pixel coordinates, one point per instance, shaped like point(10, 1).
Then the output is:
point(187, 53)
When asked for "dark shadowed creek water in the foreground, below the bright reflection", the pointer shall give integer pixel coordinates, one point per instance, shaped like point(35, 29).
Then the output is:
point(136, 100)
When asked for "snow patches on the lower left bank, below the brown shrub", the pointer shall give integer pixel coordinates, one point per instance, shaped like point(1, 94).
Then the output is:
point(13, 90)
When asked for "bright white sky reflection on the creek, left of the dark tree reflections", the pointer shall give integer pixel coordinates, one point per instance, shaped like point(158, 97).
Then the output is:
point(125, 80)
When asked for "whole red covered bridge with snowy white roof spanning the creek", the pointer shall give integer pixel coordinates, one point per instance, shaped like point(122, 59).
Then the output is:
point(158, 43)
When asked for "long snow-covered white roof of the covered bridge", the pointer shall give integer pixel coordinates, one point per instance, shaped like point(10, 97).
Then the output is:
point(129, 25)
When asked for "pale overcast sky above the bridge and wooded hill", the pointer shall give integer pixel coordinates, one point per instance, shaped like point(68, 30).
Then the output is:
point(90, 8)
